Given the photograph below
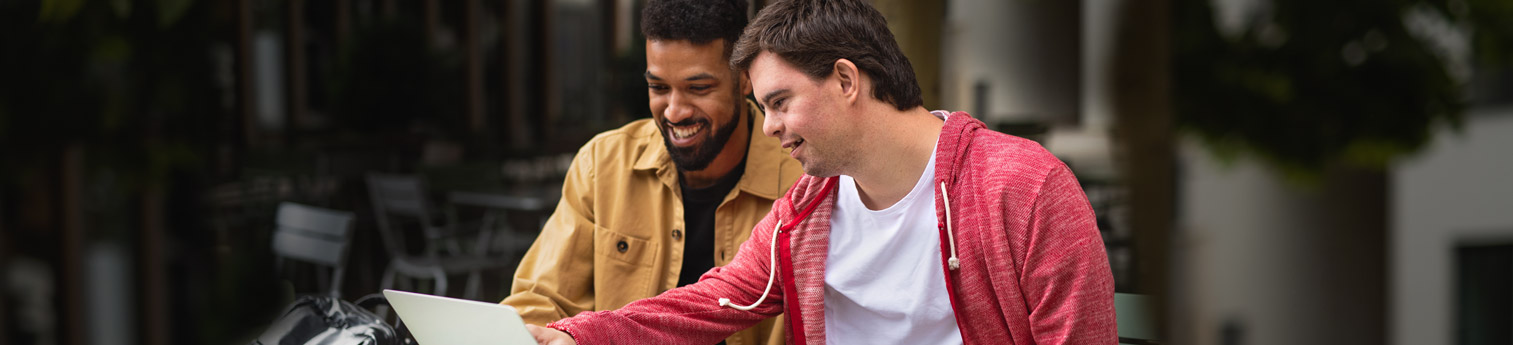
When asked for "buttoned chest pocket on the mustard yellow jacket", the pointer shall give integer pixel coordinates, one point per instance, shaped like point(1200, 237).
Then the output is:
point(624, 269)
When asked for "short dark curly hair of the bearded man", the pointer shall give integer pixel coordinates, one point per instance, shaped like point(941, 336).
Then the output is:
point(698, 22)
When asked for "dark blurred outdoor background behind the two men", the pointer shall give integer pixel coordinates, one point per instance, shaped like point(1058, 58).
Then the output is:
point(1267, 172)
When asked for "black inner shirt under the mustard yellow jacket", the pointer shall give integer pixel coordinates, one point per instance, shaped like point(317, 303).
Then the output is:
point(698, 219)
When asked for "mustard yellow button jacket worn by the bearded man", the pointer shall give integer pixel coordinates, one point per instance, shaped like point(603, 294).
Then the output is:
point(617, 235)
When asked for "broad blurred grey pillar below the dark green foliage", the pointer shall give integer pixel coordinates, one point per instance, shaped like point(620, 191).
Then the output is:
point(1264, 255)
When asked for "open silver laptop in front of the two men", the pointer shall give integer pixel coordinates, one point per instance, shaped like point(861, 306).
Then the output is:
point(450, 322)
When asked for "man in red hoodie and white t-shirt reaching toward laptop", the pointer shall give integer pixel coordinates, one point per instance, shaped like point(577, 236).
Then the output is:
point(909, 226)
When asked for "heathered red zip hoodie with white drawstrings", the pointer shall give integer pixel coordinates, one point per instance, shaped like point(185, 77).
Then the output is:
point(1033, 267)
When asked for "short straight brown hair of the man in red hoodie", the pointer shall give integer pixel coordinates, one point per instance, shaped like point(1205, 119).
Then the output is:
point(815, 34)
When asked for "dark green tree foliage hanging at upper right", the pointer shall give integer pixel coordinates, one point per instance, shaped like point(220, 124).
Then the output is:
point(1331, 82)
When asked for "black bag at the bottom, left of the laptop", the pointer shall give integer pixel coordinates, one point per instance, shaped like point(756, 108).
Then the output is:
point(317, 320)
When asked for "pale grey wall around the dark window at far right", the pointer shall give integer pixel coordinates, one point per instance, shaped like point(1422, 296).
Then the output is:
point(1459, 190)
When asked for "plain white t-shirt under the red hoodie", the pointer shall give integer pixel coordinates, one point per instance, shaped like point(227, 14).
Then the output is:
point(883, 273)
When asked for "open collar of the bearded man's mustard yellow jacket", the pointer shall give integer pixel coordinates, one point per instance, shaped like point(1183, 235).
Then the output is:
point(763, 161)
